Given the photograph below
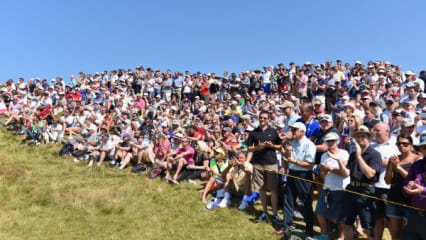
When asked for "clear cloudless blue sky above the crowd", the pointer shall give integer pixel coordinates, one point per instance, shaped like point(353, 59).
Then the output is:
point(58, 38)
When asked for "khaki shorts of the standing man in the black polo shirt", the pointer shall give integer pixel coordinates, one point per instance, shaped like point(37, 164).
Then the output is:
point(265, 180)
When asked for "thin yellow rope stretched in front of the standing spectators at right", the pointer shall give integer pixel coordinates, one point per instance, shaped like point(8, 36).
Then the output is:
point(341, 189)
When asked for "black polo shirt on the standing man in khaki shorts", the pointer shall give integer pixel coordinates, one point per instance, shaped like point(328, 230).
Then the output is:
point(266, 156)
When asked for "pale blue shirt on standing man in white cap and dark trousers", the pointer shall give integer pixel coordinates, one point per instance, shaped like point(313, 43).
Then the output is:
point(303, 150)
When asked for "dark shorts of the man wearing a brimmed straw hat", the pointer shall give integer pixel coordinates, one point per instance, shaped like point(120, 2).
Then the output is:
point(354, 205)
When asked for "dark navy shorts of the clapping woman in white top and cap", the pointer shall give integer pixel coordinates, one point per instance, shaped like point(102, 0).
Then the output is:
point(335, 206)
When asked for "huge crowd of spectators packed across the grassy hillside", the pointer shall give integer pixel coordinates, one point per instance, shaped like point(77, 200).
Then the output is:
point(356, 127)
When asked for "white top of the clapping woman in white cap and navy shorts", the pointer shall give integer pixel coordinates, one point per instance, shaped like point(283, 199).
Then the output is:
point(333, 179)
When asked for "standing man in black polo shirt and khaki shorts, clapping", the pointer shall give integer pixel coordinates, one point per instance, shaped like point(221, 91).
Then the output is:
point(263, 142)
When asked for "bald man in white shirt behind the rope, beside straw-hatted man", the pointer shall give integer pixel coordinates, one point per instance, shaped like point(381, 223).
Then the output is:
point(387, 150)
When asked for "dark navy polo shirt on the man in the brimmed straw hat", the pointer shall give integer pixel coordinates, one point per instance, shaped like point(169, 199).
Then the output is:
point(372, 158)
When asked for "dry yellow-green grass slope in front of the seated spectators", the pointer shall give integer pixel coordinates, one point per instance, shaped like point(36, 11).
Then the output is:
point(44, 196)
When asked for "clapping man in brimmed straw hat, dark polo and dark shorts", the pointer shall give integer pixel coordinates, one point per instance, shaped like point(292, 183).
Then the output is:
point(363, 167)
